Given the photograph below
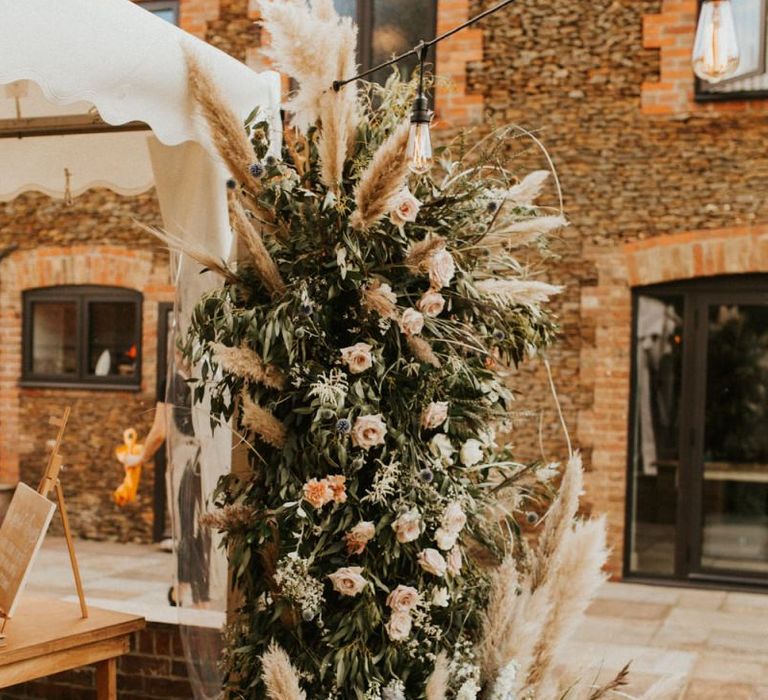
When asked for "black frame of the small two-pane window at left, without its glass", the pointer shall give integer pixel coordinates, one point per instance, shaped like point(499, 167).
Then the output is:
point(82, 296)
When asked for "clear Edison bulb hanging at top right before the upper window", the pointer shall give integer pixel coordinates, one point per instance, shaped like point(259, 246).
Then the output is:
point(716, 50)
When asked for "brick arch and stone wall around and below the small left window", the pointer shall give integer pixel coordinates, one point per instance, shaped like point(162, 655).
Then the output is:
point(98, 417)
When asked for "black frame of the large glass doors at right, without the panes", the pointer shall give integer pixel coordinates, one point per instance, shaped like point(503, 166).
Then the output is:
point(737, 288)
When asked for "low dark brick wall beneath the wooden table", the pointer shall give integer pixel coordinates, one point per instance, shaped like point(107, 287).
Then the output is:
point(154, 669)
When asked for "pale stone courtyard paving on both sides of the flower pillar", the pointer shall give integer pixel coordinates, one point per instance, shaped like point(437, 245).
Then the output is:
point(717, 641)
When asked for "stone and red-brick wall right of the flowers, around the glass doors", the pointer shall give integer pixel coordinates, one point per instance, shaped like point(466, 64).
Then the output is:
point(637, 182)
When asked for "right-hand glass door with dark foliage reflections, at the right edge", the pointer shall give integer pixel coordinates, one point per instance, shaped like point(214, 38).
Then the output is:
point(729, 455)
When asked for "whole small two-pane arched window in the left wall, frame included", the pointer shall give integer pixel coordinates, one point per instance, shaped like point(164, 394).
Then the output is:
point(82, 336)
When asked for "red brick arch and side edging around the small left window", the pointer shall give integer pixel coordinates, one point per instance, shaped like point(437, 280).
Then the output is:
point(53, 266)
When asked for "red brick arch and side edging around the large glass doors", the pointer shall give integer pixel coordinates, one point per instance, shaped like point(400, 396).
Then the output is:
point(605, 364)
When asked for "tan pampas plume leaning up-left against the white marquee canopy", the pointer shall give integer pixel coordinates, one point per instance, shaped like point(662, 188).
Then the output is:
point(227, 130)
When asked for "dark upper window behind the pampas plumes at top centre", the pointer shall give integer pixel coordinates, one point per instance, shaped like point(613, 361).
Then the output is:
point(389, 27)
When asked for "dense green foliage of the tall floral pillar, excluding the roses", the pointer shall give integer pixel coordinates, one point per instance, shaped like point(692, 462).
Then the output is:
point(281, 548)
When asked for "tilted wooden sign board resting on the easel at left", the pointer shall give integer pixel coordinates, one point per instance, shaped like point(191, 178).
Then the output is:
point(21, 535)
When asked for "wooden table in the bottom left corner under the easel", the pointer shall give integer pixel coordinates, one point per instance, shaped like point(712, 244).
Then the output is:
point(48, 636)
